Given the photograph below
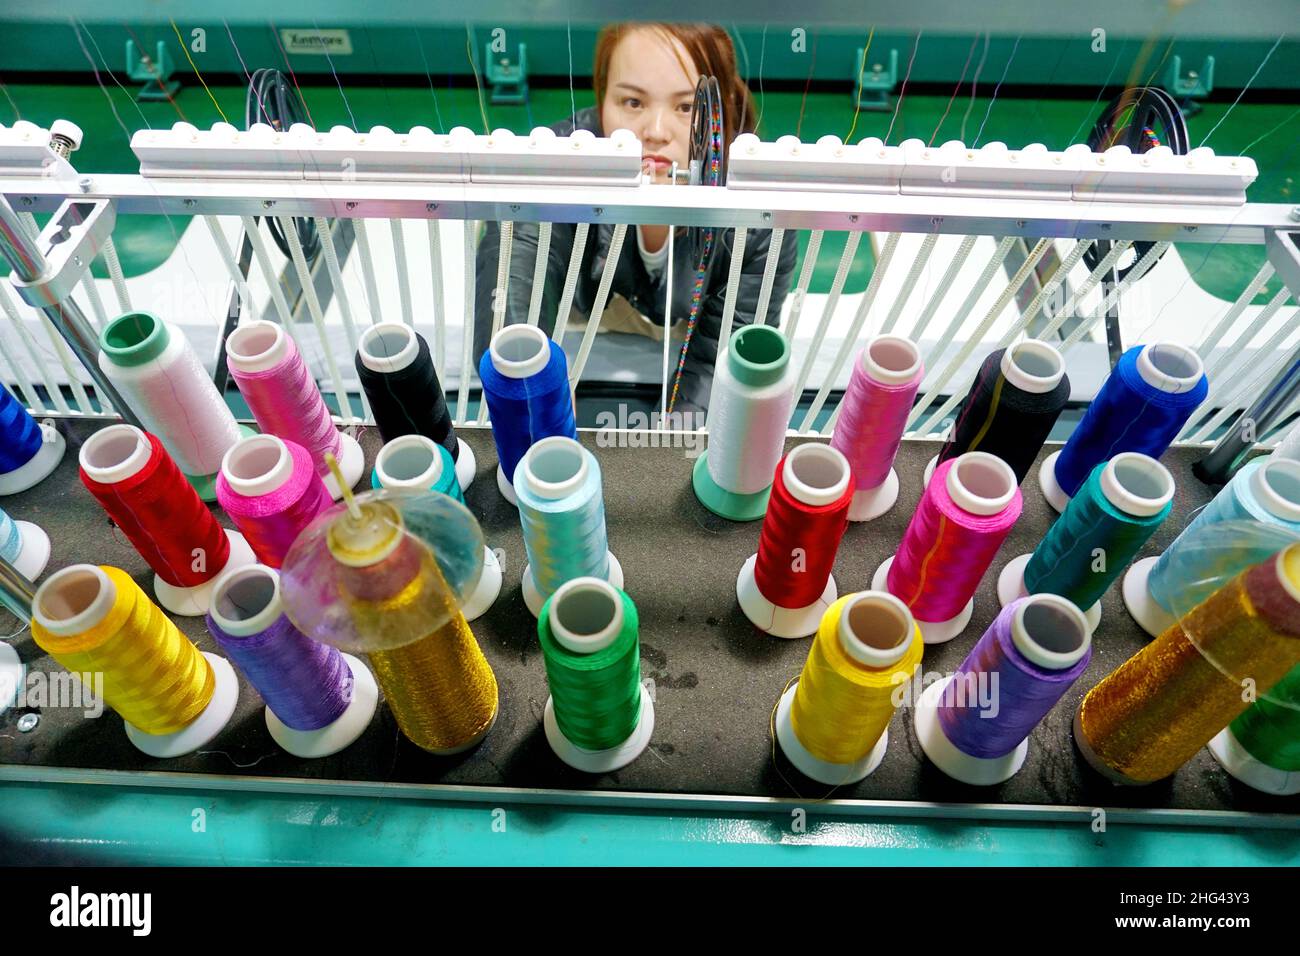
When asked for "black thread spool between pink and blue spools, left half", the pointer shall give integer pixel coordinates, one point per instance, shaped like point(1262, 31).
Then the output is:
point(401, 382)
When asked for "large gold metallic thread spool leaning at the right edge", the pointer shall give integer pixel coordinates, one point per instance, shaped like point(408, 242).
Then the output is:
point(1171, 699)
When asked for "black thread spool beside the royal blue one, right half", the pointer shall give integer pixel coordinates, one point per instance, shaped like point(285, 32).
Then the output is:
point(1016, 400)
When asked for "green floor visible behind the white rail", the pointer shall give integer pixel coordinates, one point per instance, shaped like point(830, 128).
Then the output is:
point(145, 241)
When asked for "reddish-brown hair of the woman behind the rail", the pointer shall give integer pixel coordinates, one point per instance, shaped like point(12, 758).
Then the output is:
point(713, 54)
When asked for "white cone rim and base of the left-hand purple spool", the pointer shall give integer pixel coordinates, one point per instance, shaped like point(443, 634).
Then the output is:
point(246, 602)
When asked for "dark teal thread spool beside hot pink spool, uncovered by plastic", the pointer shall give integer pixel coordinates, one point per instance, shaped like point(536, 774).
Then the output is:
point(1113, 516)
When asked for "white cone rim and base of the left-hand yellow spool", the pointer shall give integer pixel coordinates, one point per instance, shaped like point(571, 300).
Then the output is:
point(80, 598)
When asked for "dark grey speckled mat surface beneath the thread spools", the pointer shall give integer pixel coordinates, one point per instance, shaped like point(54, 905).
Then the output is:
point(716, 678)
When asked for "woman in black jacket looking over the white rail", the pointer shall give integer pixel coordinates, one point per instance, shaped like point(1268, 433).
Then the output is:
point(645, 81)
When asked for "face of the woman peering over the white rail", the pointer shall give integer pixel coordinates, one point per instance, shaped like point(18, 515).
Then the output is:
point(651, 94)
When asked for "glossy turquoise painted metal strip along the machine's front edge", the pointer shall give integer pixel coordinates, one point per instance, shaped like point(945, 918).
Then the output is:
point(105, 825)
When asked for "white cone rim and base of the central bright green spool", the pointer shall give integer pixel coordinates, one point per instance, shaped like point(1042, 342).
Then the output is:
point(586, 616)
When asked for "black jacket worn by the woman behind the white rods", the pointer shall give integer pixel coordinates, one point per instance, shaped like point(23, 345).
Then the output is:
point(632, 282)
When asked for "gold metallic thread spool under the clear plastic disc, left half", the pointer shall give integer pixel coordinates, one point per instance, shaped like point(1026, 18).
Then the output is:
point(441, 689)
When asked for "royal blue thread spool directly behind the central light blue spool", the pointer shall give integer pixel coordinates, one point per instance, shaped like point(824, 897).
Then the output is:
point(526, 384)
